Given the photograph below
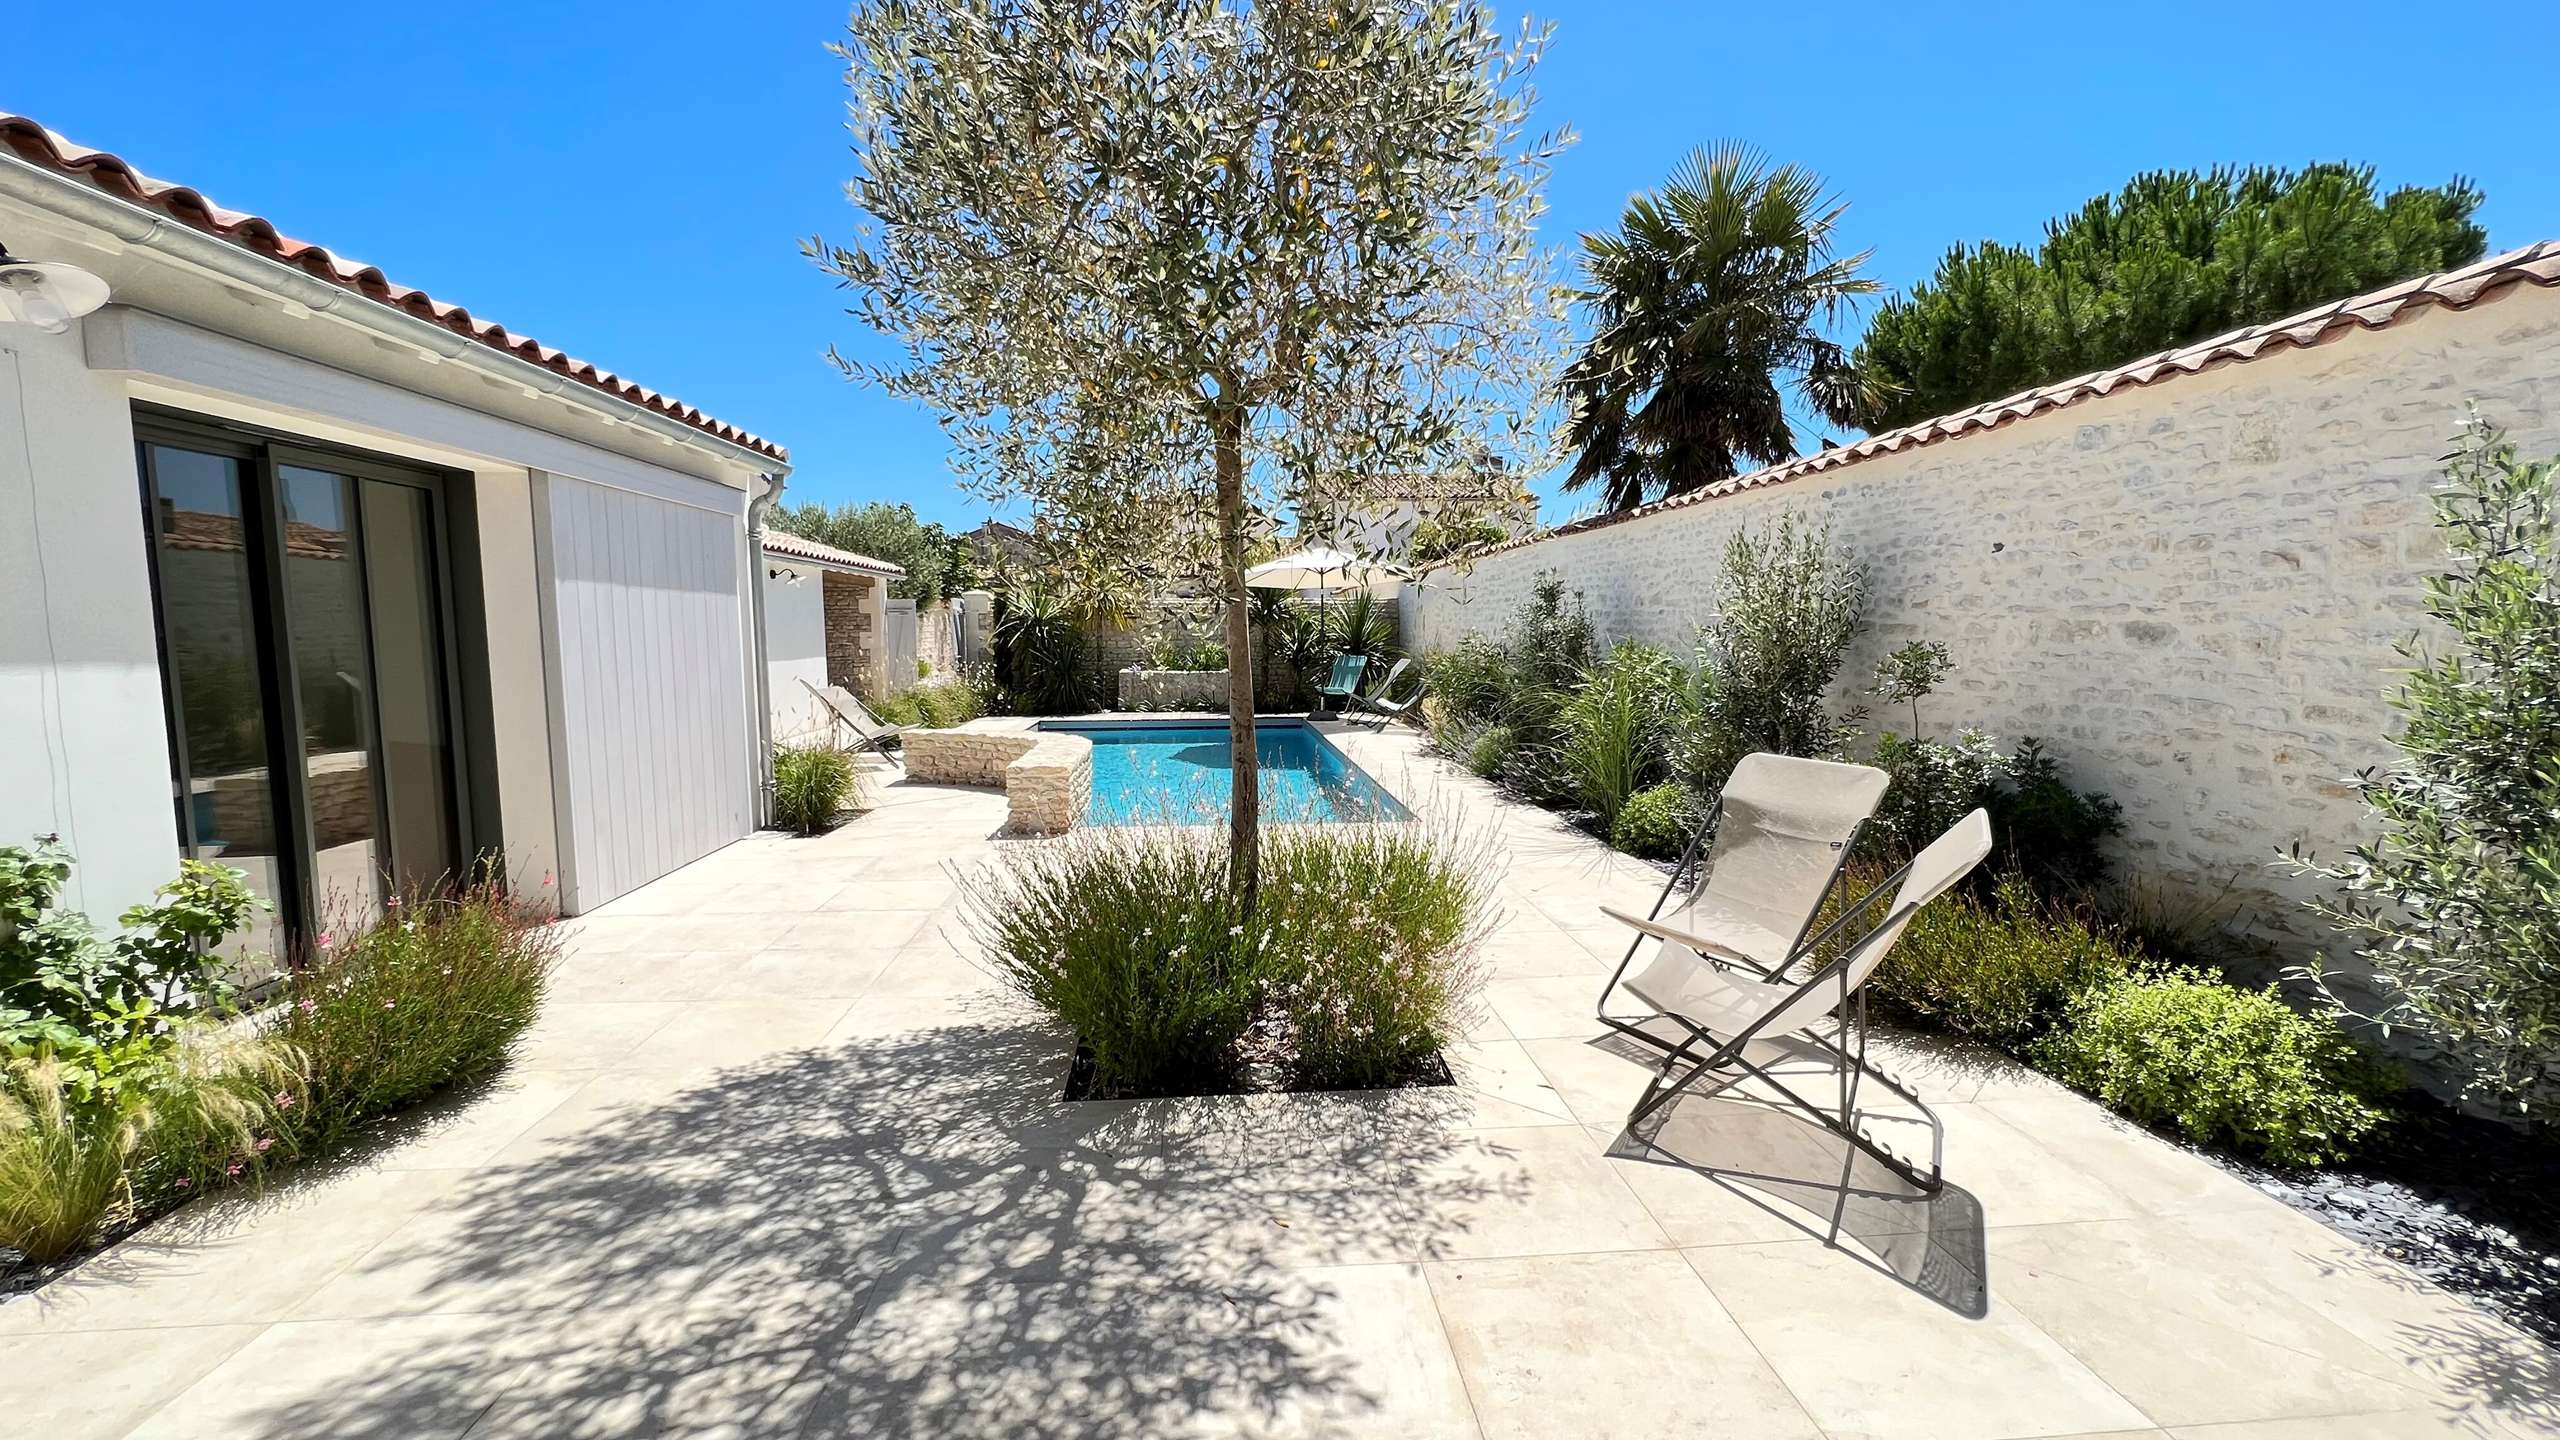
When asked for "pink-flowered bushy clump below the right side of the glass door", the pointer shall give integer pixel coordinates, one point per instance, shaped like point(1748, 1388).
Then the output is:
point(431, 995)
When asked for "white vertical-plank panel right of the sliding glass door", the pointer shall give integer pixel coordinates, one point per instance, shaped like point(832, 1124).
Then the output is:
point(649, 675)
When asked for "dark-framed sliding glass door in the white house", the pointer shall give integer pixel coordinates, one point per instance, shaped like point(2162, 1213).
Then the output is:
point(306, 650)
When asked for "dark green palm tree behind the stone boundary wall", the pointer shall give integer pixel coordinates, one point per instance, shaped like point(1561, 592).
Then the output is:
point(1701, 301)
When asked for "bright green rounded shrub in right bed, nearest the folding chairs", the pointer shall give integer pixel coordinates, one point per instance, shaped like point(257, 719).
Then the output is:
point(2226, 1067)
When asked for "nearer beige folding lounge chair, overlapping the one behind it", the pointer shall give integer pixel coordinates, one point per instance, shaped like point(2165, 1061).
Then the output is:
point(1724, 1008)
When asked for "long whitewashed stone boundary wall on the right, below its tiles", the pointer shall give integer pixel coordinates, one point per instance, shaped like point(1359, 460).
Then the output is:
point(2188, 591)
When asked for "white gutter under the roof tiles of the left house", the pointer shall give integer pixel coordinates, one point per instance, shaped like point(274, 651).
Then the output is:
point(155, 232)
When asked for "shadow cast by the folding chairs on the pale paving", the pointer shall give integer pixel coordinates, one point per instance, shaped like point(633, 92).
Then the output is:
point(1796, 1170)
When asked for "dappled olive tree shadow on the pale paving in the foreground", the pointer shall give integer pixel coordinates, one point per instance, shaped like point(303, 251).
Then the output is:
point(905, 1236)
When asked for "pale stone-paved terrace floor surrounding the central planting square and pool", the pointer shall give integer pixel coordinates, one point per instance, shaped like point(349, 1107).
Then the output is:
point(782, 1162)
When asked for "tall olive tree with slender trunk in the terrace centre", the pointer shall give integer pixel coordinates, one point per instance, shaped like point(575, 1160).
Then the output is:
point(1166, 265)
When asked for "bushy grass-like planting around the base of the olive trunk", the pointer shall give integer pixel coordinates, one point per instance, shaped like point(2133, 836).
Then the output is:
point(1353, 970)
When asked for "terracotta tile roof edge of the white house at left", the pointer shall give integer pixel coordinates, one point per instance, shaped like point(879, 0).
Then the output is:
point(257, 234)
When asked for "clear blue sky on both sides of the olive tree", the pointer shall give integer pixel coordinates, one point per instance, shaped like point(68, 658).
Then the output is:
point(631, 183)
